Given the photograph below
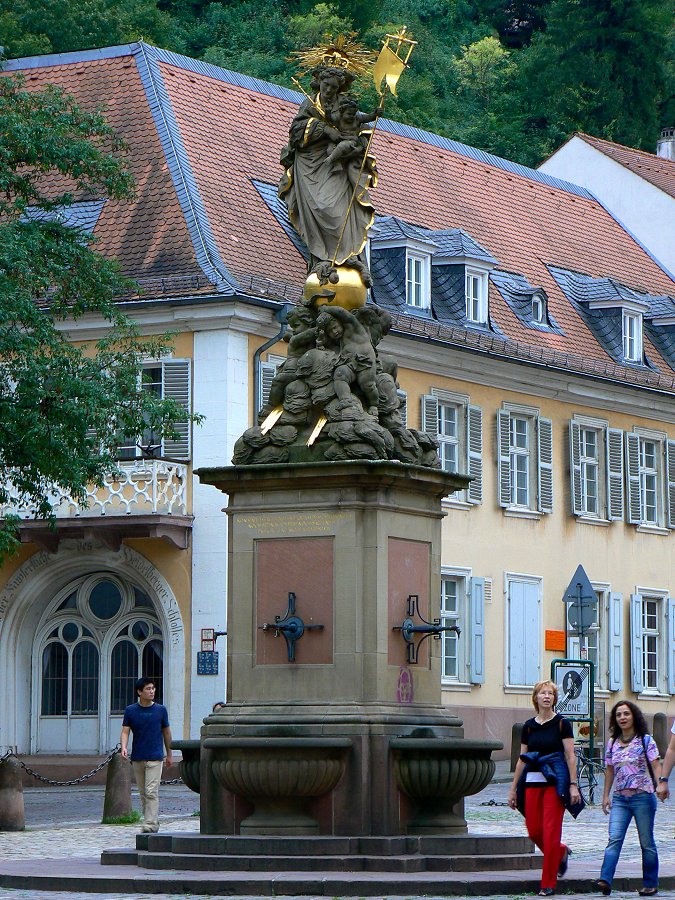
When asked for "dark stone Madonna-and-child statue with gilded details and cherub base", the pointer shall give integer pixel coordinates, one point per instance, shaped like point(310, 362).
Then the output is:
point(335, 397)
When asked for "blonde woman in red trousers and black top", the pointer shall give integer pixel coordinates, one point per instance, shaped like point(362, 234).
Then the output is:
point(546, 774)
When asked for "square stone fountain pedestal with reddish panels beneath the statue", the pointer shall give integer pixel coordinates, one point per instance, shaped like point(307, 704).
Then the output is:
point(351, 541)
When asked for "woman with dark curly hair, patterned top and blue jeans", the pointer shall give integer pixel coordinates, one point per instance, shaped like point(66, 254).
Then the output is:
point(633, 768)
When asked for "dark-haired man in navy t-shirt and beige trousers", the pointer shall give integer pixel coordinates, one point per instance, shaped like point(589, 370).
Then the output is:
point(149, 723)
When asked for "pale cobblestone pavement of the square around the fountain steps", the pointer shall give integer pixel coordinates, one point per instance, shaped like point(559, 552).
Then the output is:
point(587, 837)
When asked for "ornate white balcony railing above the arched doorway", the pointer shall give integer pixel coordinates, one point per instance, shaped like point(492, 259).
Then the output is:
point(139, 487)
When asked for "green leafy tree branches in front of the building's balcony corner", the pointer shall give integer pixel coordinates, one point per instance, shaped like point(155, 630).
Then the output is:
point(63, 405)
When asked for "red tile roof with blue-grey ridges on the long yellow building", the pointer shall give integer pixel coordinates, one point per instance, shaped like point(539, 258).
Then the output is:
point(222, 131)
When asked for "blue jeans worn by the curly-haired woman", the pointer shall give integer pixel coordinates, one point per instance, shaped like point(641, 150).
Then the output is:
point(641, 807)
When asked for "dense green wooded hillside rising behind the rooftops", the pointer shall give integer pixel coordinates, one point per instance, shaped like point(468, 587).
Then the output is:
point(514, 77)
